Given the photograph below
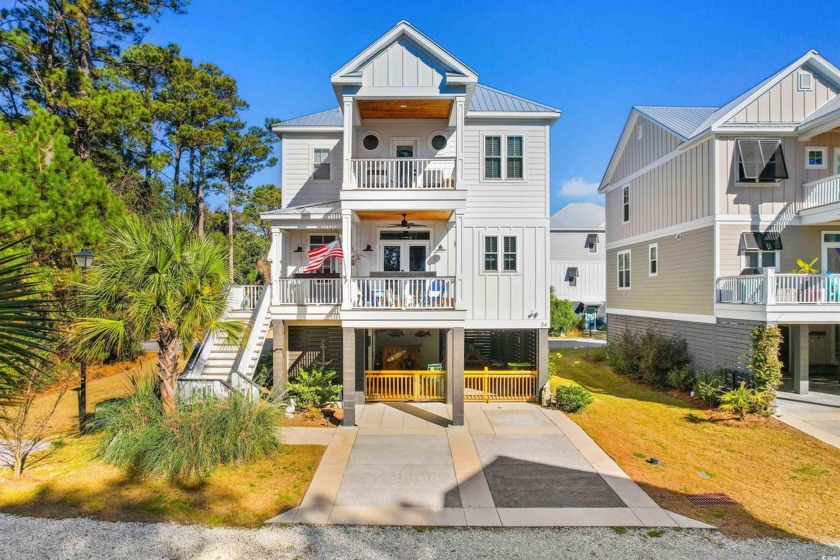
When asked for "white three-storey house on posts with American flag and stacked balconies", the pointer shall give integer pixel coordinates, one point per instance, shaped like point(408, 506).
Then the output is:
point(437, 188)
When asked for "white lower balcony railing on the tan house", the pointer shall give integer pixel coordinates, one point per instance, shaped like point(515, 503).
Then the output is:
point(771, 289)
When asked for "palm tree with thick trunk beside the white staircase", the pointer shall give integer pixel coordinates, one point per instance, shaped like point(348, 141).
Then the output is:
point(161, 281)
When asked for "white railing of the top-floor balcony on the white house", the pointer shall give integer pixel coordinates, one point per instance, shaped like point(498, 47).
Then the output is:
point(404, 173)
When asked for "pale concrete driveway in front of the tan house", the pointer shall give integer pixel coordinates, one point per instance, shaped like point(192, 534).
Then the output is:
point(816, 414)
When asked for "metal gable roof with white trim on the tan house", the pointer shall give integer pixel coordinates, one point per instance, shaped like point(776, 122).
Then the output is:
point(685, 121)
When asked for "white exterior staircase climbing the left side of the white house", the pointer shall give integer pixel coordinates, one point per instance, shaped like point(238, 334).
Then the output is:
point(219, 366)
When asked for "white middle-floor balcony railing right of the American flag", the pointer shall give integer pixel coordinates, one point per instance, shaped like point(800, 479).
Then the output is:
point(404, 293)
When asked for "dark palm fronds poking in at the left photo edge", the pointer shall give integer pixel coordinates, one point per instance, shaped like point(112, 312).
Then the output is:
point(25, 329)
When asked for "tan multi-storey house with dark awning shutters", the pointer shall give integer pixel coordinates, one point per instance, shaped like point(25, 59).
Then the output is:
point(708, 210)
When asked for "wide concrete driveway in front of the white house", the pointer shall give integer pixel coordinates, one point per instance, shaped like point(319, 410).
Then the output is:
point(512, 465)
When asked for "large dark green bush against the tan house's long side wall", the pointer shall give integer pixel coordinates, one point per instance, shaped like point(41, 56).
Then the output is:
point(647, 355)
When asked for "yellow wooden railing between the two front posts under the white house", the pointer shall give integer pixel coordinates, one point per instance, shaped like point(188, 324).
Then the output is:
point(405, 385)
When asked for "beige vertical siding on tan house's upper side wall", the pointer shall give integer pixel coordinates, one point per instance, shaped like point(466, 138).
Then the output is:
point(678, 191)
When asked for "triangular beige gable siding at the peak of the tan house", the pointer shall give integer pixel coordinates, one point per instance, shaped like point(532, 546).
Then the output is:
point(784, 103)
